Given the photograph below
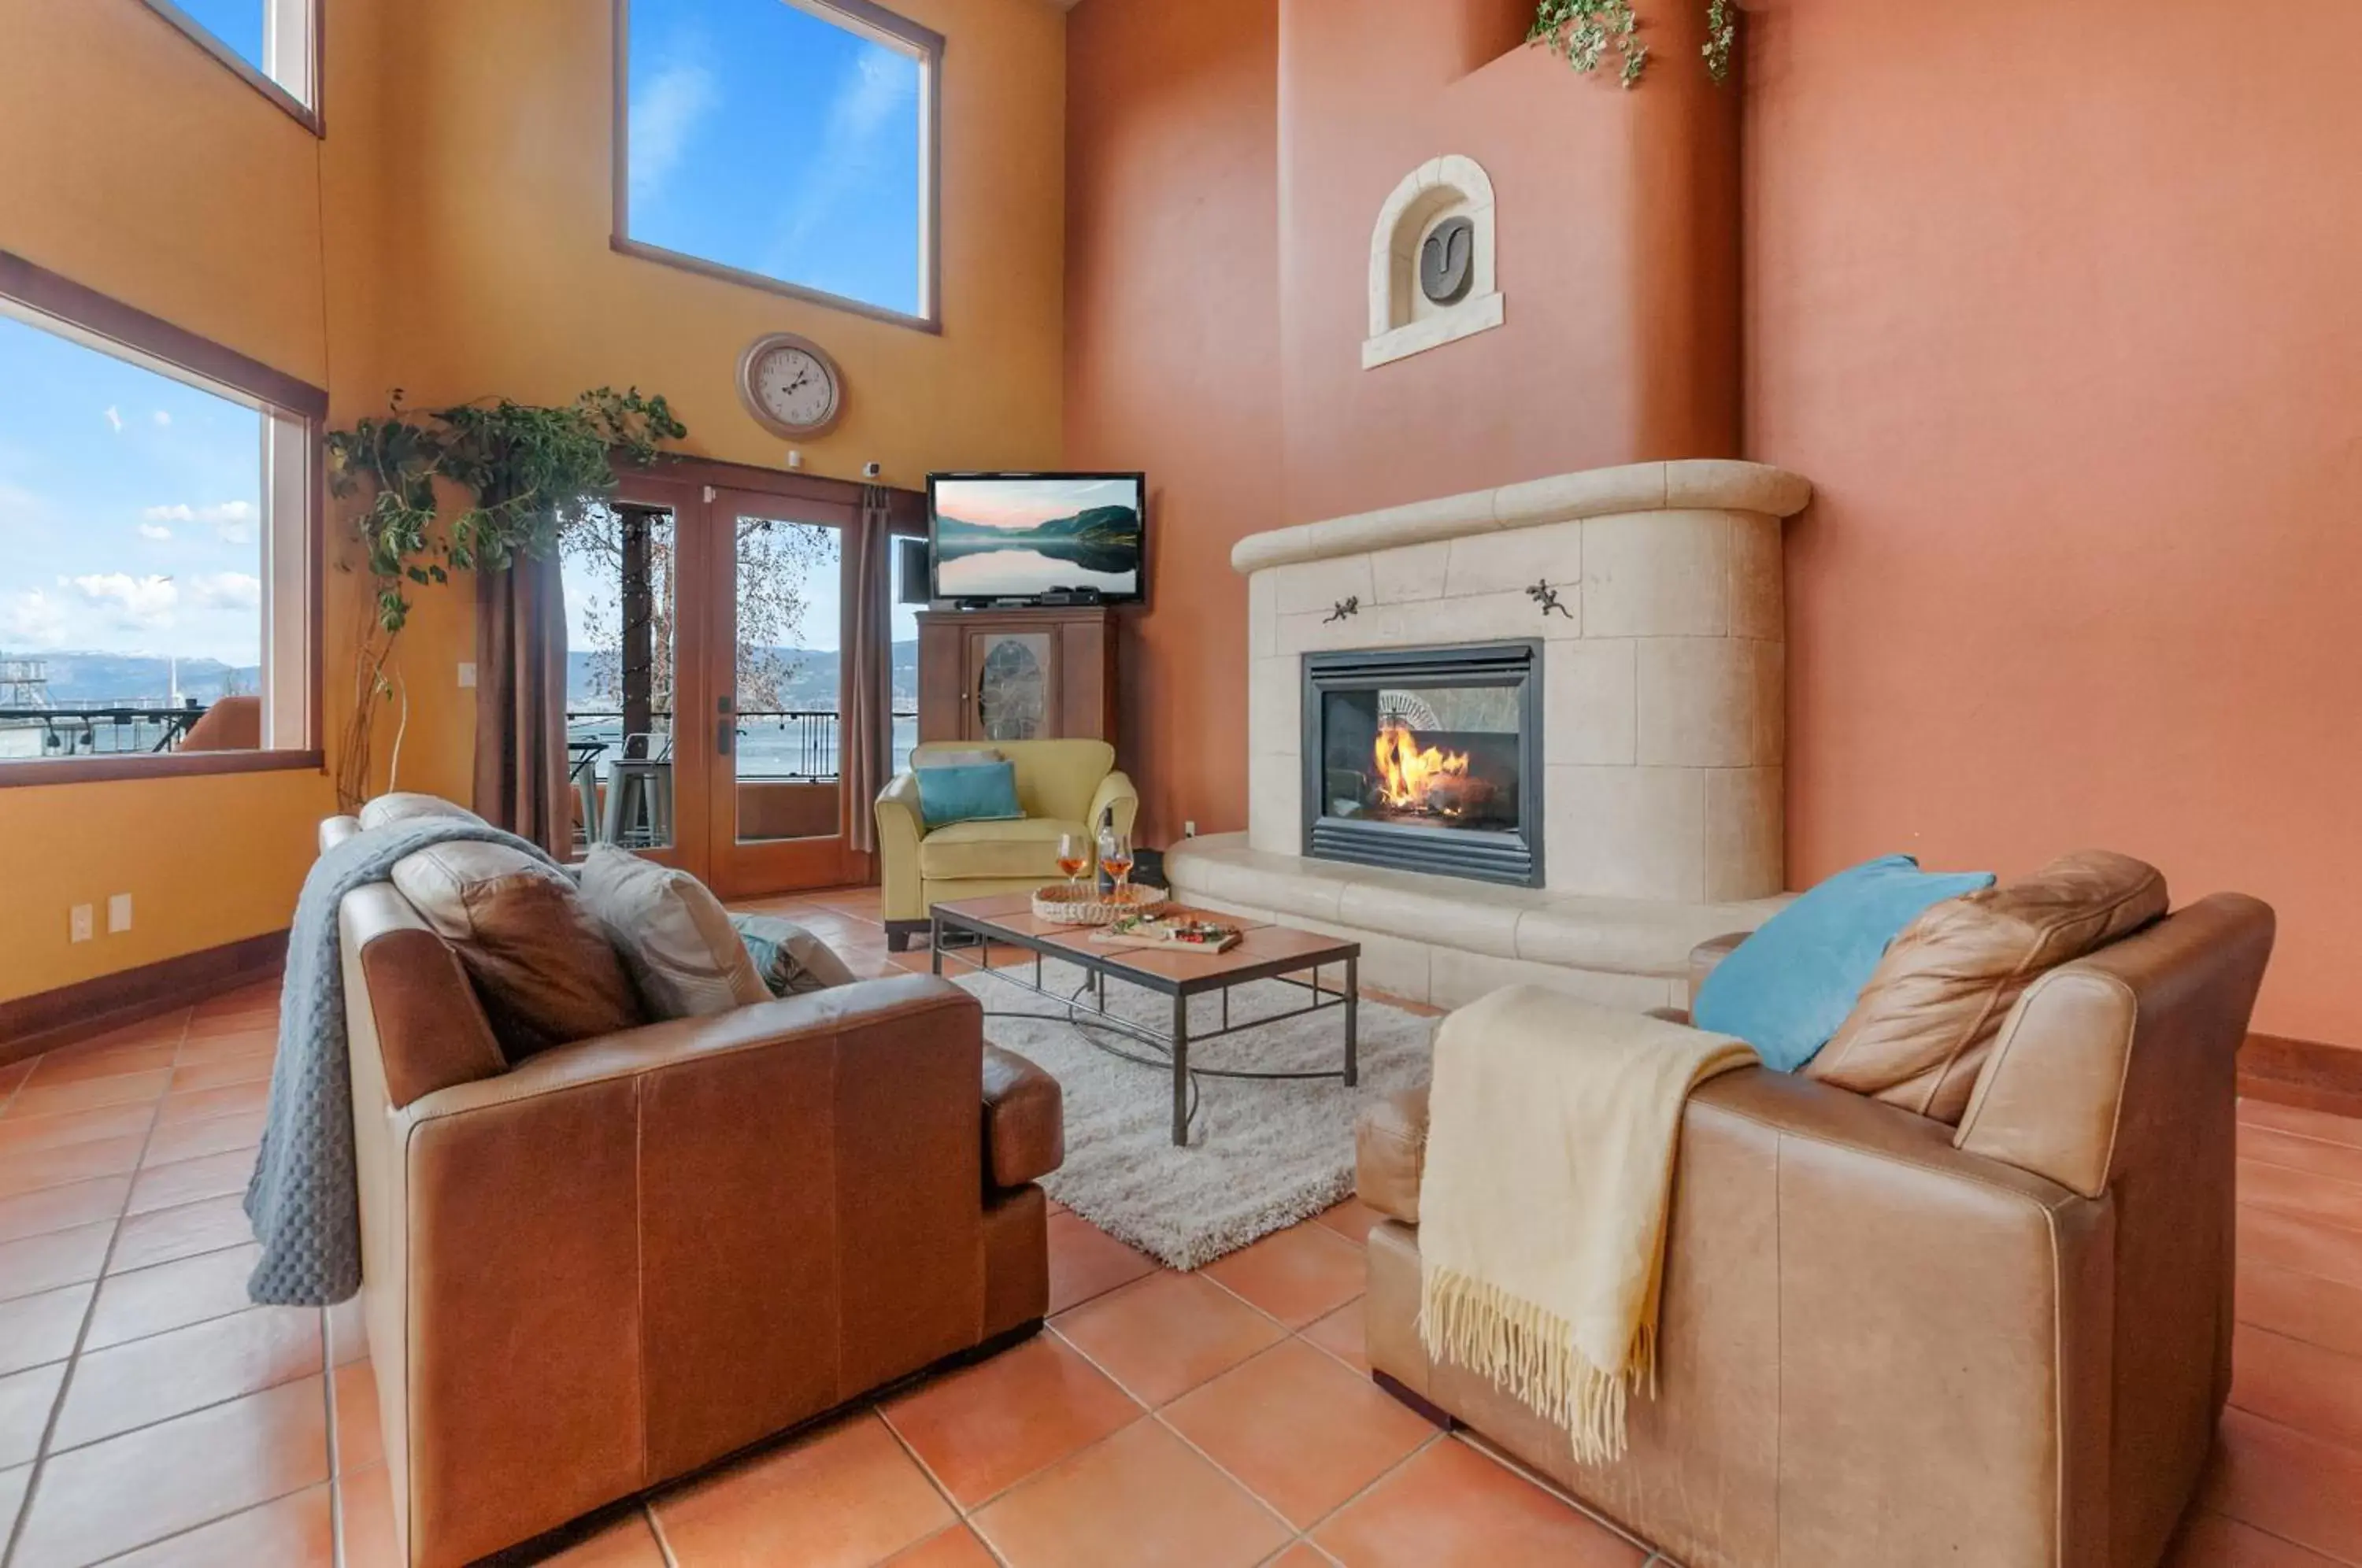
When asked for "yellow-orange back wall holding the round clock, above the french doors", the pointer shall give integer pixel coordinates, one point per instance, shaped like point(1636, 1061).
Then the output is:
point(507, 282)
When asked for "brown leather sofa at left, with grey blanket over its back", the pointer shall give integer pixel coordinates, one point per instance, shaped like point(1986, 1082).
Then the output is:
point(634, 1255)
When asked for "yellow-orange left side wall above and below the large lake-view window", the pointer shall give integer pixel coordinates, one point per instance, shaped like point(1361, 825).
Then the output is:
point(143, 169)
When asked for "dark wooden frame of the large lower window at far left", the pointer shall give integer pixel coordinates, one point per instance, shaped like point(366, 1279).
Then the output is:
point(278, 398)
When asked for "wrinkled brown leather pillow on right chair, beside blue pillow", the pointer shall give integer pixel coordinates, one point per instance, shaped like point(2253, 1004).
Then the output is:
point(1929, 1019)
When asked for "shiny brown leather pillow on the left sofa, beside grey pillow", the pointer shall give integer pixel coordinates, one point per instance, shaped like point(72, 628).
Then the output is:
point(537, 958)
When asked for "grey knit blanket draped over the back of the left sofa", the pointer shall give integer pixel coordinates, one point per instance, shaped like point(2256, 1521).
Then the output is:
point(304, 1196)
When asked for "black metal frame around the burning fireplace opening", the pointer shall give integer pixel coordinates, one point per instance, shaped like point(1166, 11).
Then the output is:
point(1399, 847)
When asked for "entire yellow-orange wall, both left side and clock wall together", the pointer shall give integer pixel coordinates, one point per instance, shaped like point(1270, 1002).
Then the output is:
point(450, 237)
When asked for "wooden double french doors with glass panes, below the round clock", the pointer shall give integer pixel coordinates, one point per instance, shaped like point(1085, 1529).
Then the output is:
point(707, 679)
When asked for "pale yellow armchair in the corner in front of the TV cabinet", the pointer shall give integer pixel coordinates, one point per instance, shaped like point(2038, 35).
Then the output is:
point(1066, 788)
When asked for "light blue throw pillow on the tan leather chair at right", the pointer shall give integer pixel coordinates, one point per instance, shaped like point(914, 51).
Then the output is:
point(1789, 986)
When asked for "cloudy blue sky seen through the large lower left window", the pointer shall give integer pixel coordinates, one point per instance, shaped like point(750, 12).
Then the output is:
point(131, 509)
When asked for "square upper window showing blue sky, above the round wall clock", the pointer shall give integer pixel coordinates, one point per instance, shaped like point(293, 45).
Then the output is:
point(783, 143)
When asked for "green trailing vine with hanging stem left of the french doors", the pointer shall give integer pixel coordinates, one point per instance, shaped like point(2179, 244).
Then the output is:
point(526, 476)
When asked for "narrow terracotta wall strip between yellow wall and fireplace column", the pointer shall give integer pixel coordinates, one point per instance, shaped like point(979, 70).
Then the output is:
point(1173, 358)
